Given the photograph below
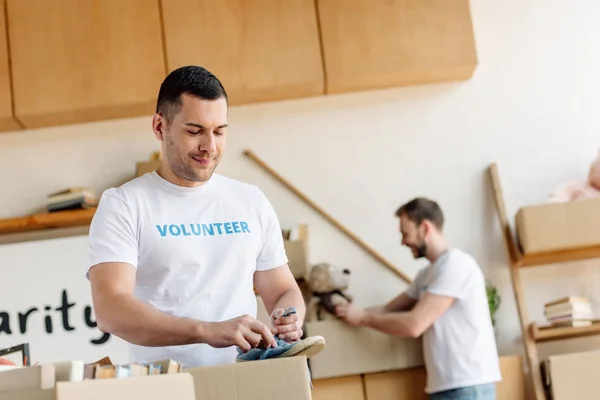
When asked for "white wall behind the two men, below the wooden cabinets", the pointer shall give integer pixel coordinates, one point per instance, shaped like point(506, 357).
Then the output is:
point(532, 100)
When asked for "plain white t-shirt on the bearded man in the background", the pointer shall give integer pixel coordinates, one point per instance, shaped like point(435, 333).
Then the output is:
point(460, 347)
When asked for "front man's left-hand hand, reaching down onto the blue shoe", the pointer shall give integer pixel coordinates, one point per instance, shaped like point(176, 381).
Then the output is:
point(245, 331)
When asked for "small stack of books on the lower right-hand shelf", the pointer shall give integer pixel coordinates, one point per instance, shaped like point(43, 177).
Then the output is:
point(569, 311)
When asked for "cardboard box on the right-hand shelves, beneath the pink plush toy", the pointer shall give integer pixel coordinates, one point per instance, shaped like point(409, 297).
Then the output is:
point(558, 226)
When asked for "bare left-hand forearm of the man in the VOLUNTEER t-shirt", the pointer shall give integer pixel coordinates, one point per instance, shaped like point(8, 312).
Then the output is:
point(141, 324)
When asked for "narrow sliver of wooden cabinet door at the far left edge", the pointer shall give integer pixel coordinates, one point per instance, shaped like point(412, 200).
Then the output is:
point(7, 121)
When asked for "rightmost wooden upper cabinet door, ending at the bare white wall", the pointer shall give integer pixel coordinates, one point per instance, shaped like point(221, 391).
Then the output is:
point(375, 44)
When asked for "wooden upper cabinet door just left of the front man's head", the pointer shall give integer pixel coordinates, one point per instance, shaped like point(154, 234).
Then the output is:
point(78, 61)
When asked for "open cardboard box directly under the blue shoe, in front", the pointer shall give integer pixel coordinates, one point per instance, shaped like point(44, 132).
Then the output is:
point(277, 379)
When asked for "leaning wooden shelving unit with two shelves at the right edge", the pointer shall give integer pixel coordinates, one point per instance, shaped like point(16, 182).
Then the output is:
point(532, 333)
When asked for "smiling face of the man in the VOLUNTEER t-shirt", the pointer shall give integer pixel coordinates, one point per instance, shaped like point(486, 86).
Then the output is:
point(195, 140)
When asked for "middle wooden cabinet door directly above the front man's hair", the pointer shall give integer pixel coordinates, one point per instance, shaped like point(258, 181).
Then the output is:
point(261, 50)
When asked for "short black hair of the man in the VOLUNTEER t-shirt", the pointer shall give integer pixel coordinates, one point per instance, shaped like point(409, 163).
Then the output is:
point(193, 80)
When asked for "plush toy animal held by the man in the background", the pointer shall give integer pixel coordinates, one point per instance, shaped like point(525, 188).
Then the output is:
point(327, 285)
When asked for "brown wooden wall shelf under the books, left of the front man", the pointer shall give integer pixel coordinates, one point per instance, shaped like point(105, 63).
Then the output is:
point(46, 221)
